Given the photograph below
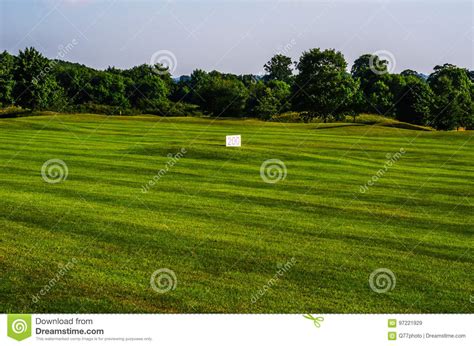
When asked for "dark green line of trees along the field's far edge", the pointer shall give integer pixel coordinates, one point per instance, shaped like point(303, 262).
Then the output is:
point(318, 85)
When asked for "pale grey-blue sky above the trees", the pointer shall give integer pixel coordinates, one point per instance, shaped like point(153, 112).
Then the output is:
point(239, 36)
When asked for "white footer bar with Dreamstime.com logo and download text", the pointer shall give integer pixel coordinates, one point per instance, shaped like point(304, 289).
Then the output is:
point(223, 329)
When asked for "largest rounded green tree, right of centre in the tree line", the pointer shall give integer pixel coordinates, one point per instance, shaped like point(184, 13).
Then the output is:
point(323, 87)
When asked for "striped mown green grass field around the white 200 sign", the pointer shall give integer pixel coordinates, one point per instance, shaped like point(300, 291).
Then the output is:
point(221, 229)
